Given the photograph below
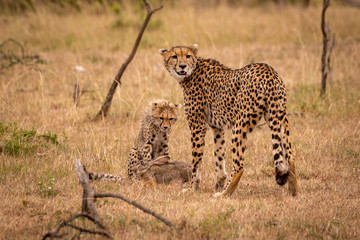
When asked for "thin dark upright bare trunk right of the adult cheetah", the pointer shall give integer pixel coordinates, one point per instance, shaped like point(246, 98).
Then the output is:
point(328, 43)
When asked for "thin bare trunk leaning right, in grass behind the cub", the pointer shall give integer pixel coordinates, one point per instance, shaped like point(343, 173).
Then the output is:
point(106, 105)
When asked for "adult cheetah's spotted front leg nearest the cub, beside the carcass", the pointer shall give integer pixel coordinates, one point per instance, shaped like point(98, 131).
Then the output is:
point(198, 143)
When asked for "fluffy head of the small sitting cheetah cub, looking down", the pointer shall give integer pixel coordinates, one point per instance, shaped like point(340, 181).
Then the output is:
point(164, 113)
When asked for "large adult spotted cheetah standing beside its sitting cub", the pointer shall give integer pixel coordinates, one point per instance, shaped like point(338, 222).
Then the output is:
point(221, 98)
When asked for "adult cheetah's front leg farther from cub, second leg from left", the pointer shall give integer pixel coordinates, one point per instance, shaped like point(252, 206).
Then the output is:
point(219, 152)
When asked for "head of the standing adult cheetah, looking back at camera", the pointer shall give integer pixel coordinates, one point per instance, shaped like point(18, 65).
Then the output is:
point(180, 61)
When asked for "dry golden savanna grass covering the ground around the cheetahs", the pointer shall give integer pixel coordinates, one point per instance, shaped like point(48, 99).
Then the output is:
point(42, 132)
